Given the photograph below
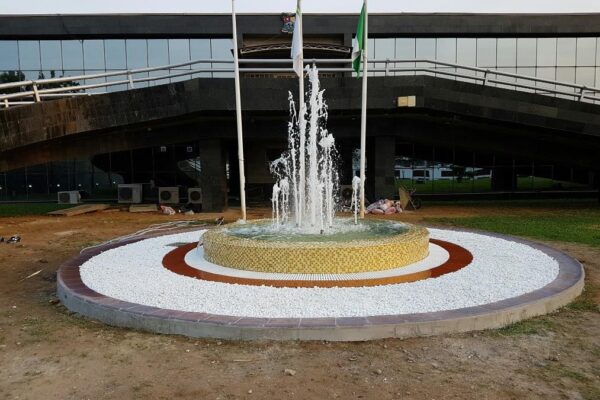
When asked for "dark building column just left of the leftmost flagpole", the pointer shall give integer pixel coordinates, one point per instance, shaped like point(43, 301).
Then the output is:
point(213, 178)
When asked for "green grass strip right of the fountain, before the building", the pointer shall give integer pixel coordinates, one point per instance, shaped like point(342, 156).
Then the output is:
point(577, 226)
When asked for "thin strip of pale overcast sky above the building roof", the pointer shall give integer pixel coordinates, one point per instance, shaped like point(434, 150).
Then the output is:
point(309, 6)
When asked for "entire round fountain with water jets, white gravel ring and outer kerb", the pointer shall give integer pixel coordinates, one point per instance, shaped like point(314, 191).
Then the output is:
point(306, 274)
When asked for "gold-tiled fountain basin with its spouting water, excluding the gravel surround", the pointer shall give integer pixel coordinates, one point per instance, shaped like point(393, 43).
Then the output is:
point(303, 235)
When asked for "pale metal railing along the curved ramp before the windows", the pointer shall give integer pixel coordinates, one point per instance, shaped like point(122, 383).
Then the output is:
point(32, 91)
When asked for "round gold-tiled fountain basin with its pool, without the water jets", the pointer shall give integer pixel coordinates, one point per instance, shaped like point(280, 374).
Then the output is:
point(371, 245)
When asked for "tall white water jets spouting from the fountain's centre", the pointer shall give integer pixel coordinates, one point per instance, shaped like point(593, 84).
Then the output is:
point(312, 200)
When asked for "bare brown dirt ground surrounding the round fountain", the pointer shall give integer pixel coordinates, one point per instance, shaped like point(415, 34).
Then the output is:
point(46, 352)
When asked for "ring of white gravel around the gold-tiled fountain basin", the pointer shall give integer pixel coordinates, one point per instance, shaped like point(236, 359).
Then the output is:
point(500, 269)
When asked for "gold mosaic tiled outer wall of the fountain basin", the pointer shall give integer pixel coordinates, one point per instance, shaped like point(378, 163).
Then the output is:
point(316, 257)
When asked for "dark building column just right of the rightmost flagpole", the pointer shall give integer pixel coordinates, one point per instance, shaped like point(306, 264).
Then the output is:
point(381, 160)
